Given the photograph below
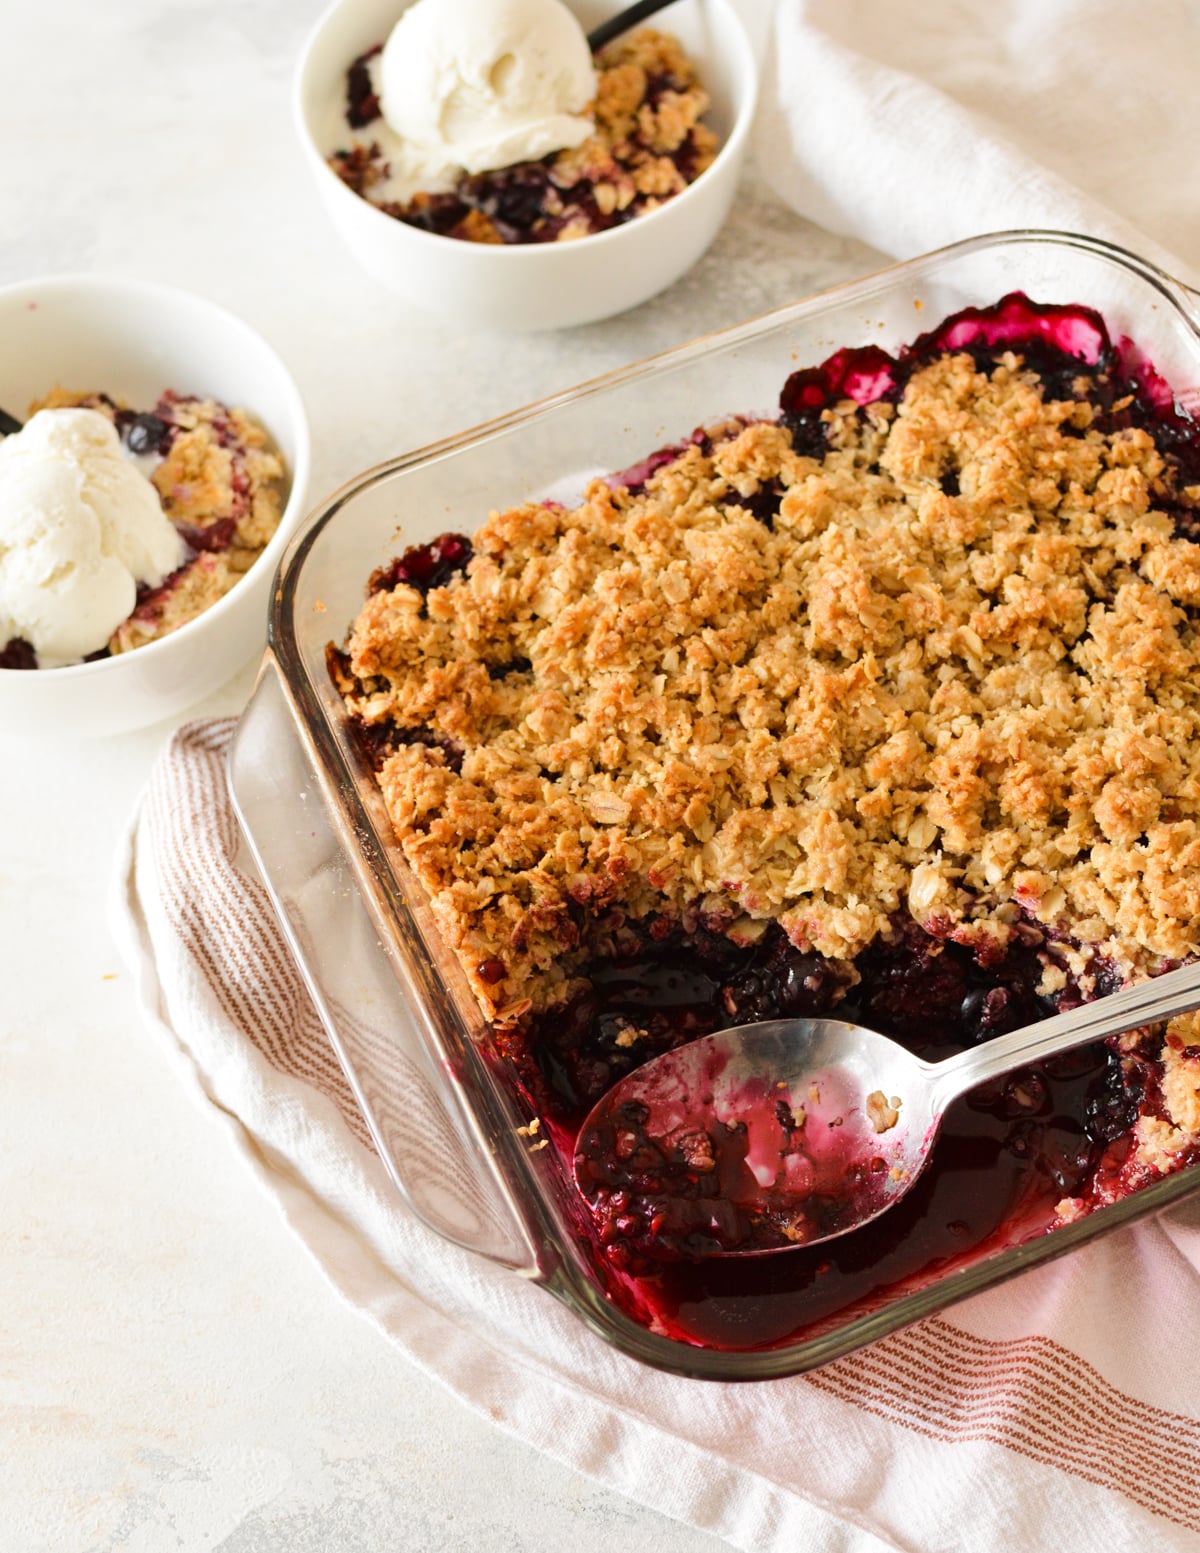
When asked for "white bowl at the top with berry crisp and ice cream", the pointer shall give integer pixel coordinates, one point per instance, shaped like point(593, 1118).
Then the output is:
point(485, 164)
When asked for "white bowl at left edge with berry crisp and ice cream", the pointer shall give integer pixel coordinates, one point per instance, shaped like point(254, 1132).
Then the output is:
point(154, 460)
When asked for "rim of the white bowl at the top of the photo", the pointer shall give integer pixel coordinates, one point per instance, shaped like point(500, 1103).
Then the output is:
point(521, 252)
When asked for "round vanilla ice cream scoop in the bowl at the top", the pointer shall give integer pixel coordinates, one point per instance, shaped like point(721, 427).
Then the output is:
point(479, 85)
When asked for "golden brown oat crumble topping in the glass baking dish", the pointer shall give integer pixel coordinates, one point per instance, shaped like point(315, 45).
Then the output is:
point(892, 701)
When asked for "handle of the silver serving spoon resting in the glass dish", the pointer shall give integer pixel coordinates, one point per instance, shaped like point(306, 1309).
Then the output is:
point(1145, 1004)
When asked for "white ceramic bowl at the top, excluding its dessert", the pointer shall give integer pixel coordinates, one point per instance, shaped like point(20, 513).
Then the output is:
point(532, 287)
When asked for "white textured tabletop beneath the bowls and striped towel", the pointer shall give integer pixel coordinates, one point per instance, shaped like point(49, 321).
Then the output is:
point(173, 1371)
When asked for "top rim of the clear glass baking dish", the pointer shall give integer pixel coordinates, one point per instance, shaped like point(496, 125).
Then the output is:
point(341, 785)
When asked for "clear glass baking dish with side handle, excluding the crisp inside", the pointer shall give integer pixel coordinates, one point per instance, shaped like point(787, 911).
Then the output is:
point(395, 1002)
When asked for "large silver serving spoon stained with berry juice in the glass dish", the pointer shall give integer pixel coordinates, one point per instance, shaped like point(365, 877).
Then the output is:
point(811, 1128)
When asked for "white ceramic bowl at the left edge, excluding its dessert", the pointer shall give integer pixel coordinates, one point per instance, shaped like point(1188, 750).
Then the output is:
point(134, 341)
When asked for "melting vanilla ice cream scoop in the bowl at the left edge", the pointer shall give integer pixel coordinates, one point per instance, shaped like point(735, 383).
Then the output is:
point(80, 529)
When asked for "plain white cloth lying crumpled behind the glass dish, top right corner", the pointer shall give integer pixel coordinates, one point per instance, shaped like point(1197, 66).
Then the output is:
point(917, 125)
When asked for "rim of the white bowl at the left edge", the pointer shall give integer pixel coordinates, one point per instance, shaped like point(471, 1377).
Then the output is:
point(100, 287)
